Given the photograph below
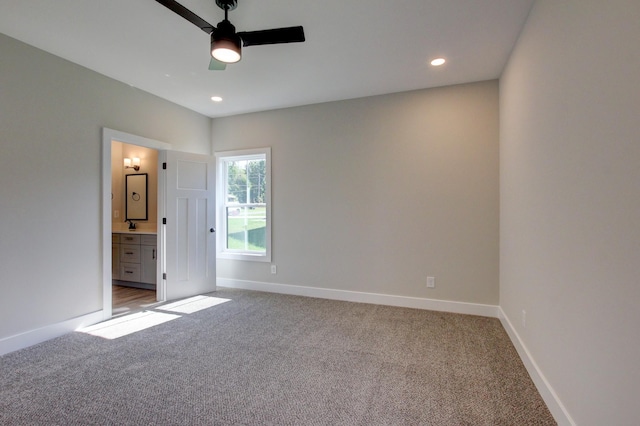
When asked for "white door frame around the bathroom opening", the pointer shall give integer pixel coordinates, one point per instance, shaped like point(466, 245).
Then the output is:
point(109, 136)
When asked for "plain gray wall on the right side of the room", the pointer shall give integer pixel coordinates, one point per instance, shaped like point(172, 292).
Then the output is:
point(570, 202)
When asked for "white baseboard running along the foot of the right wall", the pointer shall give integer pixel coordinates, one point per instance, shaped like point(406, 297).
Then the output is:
point(558, 410)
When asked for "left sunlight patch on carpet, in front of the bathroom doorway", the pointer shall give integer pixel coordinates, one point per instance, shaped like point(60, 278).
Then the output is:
point(129, 324)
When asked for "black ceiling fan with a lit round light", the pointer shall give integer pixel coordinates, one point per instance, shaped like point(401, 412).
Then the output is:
point(225, 41)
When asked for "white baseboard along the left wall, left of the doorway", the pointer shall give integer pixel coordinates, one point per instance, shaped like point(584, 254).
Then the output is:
point(39, 335)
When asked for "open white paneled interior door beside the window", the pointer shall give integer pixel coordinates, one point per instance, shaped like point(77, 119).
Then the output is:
point(189, 238)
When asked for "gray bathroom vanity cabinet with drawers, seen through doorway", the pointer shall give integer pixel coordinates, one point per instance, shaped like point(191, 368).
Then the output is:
point(134, 259)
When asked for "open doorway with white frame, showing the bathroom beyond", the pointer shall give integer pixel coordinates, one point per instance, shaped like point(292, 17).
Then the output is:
point(124, 250)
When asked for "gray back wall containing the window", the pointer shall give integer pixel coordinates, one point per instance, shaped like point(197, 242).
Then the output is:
point(375, 194)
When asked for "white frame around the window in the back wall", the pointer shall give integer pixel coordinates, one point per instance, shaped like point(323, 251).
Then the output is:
point(221, 191)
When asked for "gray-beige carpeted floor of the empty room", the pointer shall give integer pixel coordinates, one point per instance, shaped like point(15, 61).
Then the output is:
point(268, 359)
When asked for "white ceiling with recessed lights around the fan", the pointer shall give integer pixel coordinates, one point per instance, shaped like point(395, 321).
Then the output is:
point(354, 48)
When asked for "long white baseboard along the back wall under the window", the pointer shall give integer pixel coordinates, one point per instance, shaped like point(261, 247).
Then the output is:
point(362, 297)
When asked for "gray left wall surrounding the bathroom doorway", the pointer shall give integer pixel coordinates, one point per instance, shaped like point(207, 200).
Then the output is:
point(51, 115)
